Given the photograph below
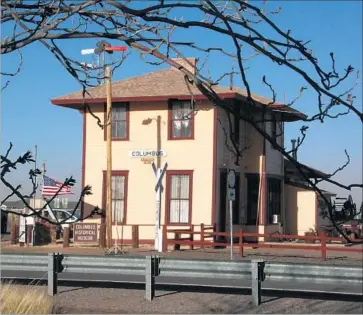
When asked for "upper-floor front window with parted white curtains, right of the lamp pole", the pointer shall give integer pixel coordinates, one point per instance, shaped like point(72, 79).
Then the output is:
point(181, 120)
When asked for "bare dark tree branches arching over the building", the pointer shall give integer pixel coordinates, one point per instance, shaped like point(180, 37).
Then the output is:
point(151, 29)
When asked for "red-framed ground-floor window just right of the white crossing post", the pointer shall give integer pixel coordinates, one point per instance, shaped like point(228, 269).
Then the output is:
point(179, 197)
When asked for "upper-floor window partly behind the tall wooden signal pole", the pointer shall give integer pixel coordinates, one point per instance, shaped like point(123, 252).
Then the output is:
point(120, 121)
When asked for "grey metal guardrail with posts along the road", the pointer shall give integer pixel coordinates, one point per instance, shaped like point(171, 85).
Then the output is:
point(233, 274)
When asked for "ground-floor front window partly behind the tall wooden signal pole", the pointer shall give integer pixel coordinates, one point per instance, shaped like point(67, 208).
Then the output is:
point(119, 195)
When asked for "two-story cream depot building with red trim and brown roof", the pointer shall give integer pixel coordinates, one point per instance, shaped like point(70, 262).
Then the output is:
point(152, 112)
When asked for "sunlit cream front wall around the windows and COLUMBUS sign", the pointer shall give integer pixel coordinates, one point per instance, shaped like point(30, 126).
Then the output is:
point(196, 155)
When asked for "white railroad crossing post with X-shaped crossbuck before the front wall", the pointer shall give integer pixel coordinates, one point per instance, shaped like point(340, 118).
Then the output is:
point(159, 173)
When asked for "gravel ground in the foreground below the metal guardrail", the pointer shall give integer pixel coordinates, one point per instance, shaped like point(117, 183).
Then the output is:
point(131, 301)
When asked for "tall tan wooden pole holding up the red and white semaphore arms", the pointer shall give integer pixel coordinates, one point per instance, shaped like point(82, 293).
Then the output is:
point(109, 159)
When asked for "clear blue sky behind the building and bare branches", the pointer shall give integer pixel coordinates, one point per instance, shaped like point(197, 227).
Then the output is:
point(28, 118)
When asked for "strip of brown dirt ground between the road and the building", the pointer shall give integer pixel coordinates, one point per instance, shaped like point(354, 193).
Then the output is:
point(268, 254)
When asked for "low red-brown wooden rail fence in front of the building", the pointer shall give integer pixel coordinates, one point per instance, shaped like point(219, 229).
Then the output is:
point(203, 236)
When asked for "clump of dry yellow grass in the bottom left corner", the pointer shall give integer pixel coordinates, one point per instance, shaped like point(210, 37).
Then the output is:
point(30, 299)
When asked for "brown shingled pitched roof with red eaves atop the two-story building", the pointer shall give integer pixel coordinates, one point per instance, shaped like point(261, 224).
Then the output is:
point(162, 85)
